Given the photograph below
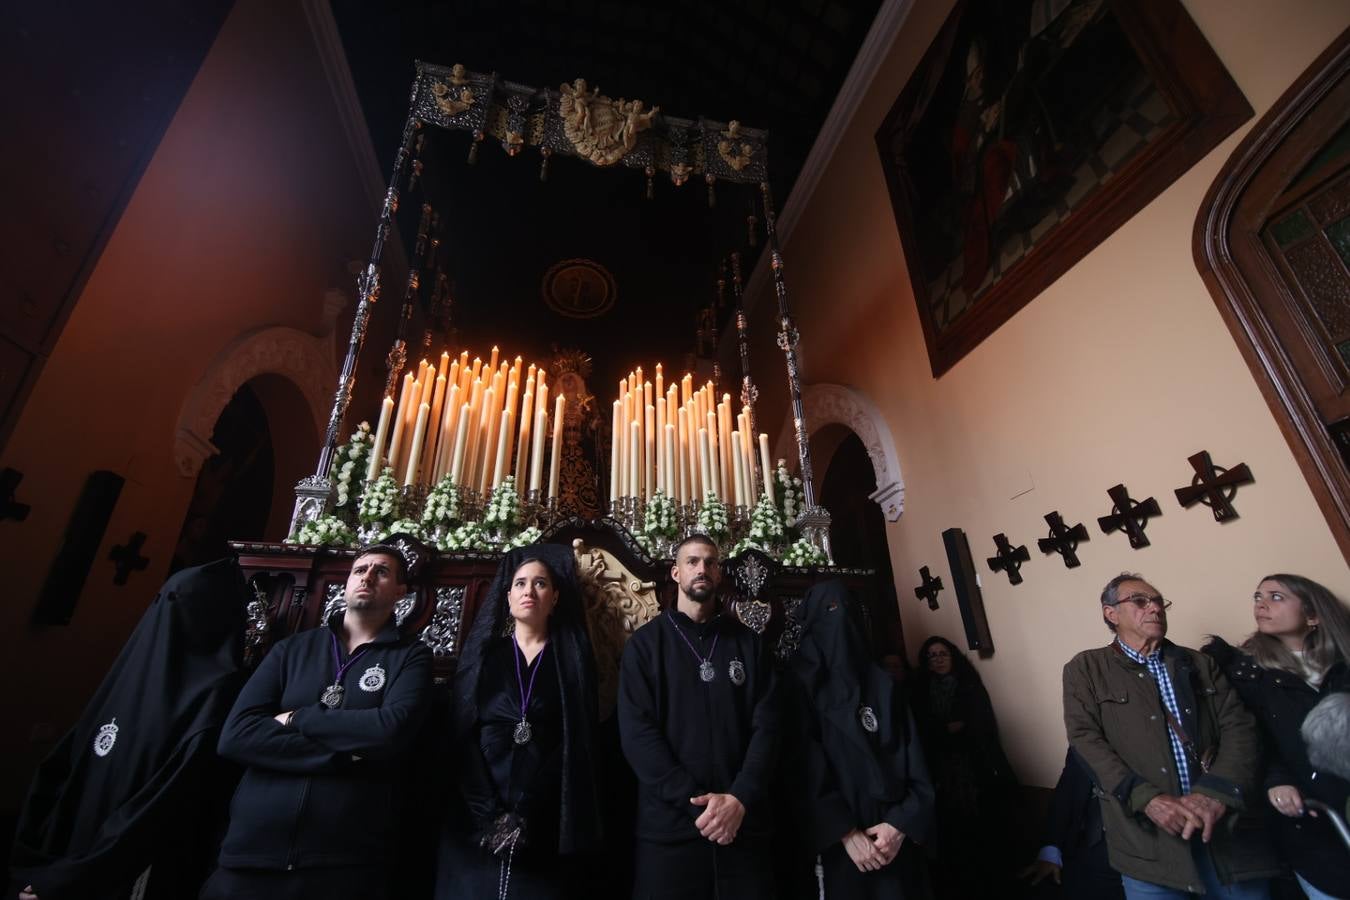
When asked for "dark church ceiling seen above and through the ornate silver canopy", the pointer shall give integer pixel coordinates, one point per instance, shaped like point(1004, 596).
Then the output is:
point(508, 235)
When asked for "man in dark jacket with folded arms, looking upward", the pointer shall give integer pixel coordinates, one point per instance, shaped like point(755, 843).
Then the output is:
point(325, 728)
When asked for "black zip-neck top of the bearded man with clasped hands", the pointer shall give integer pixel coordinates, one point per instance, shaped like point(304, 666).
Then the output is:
point(686, 737)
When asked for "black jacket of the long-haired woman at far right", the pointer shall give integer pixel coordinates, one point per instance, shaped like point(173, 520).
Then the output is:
point(1280, 702)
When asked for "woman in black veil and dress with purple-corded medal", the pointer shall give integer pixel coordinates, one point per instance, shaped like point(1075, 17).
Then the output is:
point(522, 727)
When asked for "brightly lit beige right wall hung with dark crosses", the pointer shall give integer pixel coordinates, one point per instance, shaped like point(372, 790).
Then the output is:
point(1117, 373)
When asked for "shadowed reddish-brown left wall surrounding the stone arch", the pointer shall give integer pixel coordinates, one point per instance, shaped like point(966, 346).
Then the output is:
point(244, 219)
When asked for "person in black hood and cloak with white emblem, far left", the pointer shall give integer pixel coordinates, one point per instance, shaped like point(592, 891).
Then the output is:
point(137, 782)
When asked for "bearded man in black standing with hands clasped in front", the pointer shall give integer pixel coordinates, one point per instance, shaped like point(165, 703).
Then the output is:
point(699, 720)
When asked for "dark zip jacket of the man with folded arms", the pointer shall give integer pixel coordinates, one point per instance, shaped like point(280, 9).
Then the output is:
point(322, 791)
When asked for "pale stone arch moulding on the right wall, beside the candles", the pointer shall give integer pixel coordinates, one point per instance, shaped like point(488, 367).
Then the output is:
point(832, 405)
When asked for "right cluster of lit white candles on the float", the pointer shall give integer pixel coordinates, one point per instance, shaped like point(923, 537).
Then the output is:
point(682, 442)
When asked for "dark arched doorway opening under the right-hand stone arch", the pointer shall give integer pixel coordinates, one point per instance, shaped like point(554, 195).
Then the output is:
point(858, 528)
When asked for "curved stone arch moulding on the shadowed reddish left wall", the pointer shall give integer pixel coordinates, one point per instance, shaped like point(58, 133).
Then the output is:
point(290, 353)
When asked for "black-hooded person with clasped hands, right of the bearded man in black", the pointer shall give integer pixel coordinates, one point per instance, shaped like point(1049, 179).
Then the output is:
point(865, 794)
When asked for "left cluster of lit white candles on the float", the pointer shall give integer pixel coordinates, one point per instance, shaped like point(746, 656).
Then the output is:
point(460, 419)
